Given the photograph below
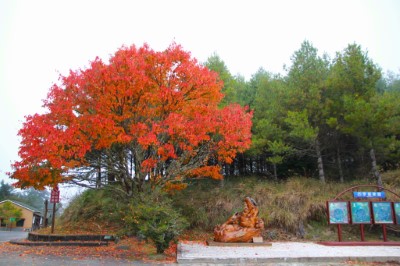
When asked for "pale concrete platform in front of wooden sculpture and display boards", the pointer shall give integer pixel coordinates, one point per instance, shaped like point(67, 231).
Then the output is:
point(284, 253)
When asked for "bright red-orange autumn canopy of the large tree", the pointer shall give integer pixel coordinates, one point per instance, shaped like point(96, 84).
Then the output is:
point(143, 116)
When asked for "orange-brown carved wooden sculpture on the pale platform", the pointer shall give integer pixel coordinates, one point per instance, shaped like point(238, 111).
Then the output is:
point(241, 227)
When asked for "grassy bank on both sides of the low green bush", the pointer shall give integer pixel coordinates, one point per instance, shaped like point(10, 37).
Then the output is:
point(292, 210)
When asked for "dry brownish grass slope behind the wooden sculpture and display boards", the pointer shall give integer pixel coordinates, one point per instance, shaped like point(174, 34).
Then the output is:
point(294, 209)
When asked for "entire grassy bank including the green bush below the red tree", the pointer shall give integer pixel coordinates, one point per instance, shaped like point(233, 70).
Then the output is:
point(294, 209)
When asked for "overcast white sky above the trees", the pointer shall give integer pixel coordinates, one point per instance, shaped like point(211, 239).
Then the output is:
point(41, 39)
